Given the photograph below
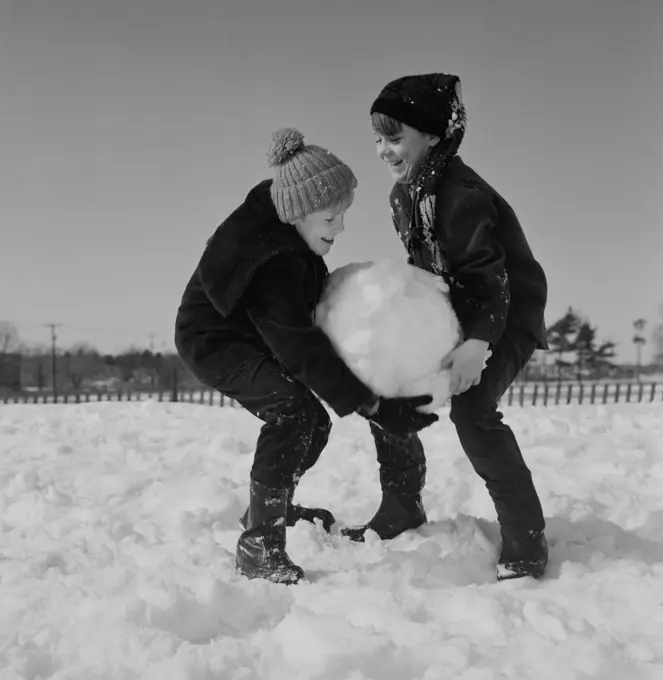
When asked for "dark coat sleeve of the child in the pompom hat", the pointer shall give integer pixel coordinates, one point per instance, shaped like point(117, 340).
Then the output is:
point(276, 304)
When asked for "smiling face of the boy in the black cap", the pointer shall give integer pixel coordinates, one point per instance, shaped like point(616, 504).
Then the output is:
point(404, 151)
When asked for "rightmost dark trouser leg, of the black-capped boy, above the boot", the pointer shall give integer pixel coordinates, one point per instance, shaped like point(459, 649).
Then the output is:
point(490, 444)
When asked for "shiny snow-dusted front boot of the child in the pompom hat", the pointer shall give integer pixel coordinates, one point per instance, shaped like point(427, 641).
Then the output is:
point(261, 547)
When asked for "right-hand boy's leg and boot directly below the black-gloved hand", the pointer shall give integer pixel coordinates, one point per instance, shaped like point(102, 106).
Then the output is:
point(402, 478)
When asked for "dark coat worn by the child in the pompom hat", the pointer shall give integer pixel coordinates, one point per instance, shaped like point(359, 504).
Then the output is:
point(254, 293)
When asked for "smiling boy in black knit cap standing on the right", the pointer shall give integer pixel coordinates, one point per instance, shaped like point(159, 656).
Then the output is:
point(453, 224)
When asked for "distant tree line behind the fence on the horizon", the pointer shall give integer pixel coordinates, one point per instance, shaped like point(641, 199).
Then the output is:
point(576, 353)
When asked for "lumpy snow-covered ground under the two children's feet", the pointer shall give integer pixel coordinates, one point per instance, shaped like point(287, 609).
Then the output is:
point(118, 524)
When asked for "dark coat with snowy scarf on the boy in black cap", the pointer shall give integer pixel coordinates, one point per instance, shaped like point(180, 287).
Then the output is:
point(483, 253)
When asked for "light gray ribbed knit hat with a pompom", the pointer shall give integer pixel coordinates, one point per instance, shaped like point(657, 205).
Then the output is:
point(307, 178)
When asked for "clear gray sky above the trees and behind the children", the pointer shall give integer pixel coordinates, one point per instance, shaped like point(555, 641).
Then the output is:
point(131, 128)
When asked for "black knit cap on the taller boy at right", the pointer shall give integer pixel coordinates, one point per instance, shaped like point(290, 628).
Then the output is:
point(430, 103)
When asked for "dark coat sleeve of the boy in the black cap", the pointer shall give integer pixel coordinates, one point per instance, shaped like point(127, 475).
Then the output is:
point(476, 261)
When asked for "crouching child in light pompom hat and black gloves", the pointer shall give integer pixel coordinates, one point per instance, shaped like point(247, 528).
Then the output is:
point(245, 327)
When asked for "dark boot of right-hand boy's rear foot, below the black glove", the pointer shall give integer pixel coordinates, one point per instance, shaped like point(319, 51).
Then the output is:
point(397, 513)
